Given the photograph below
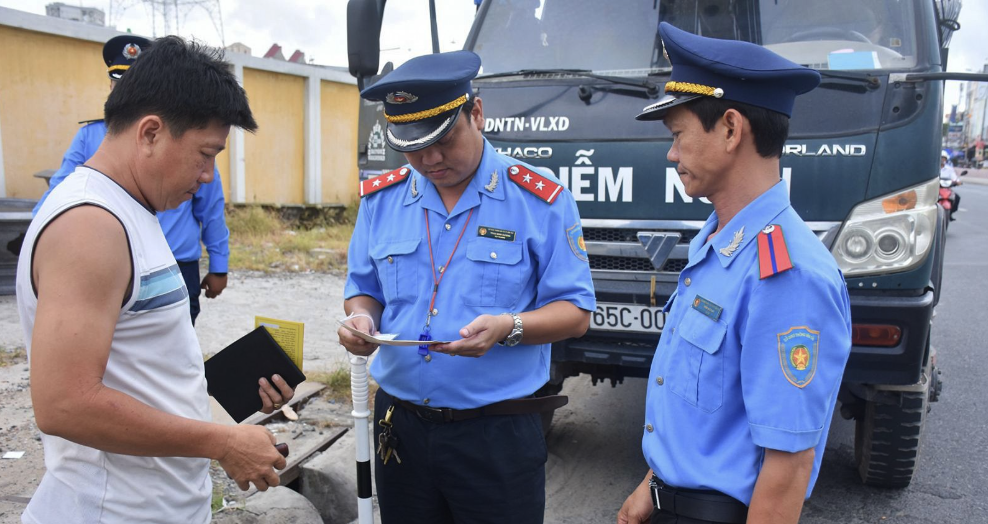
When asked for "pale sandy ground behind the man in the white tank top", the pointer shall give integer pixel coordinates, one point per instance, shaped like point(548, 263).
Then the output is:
point(314, 299)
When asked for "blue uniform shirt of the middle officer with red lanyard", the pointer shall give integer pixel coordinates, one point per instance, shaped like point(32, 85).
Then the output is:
point(518, 253)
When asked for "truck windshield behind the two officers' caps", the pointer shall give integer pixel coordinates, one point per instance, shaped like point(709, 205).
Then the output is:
point(619, 38)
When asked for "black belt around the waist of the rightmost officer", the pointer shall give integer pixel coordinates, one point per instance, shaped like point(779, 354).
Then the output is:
point(713, 506)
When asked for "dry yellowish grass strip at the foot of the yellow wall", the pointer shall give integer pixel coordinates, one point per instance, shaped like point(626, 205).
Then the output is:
point(261, 241)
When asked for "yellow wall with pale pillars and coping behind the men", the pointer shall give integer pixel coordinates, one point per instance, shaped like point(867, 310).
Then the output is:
point(304, 152)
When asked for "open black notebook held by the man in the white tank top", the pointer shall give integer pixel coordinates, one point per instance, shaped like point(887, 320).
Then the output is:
point(232, 374)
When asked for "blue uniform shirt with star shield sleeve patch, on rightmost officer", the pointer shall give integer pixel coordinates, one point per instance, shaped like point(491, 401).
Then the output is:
point(747, 363)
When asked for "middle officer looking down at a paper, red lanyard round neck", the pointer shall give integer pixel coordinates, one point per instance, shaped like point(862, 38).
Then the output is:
point(472, 249)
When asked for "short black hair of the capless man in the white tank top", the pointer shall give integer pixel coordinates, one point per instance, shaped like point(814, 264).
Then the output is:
point(187, 84)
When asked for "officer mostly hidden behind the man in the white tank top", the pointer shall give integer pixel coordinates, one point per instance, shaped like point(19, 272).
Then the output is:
point(200, 218)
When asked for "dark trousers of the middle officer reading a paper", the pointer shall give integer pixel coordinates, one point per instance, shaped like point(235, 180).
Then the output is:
point(484, 470)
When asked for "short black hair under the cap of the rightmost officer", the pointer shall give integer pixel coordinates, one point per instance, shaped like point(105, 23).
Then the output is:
point(770, 128)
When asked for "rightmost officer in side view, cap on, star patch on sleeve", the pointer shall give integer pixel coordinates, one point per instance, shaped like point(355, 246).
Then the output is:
point(745, 377)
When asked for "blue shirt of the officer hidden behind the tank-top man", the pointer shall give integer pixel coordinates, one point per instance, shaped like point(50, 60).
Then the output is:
point(181, 225)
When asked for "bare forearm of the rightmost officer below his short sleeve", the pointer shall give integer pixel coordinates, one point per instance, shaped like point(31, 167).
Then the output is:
point(781, 487)
